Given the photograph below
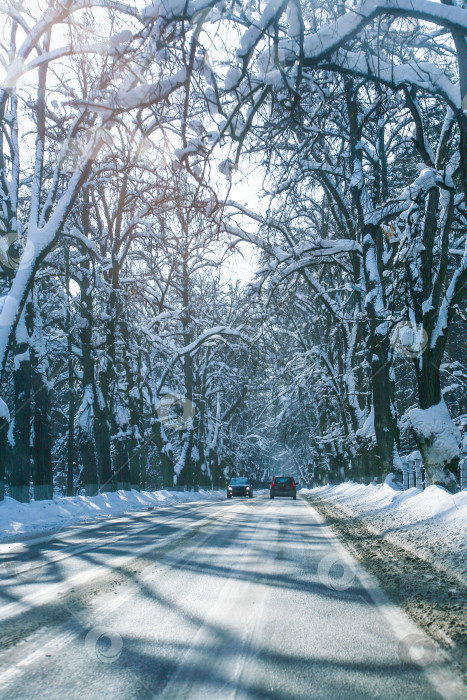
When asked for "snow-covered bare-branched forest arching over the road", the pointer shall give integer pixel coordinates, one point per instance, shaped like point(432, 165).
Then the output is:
point(152, 156)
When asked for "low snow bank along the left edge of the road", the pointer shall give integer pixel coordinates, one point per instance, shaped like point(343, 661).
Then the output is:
point(39, 516)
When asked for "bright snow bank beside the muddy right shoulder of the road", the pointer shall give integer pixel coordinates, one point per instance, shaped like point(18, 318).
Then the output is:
point(431, 524)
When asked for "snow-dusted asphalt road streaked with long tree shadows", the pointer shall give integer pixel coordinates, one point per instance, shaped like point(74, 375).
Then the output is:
point(231, 599)
